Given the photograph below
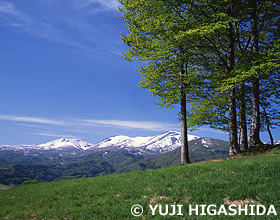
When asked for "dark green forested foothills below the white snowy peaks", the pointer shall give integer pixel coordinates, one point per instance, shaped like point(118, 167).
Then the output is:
point(46, 166)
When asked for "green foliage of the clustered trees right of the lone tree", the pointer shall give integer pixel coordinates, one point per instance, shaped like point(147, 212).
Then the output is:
point(247, 64)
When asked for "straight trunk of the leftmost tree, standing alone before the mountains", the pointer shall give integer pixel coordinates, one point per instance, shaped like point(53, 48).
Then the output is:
point(183, 119)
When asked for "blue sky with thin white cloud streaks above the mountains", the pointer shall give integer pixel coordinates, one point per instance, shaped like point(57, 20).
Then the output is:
point(62, 75)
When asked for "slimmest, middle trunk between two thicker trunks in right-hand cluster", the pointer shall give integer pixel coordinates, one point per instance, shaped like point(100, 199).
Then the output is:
point(243, 121)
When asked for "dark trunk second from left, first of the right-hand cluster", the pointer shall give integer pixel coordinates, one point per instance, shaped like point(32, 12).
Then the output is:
point(233, 140)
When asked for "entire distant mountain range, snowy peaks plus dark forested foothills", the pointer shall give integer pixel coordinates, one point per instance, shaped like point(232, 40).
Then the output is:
point(73, 158)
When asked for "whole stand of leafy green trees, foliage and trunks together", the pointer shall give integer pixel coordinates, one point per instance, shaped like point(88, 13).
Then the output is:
point(220, 56)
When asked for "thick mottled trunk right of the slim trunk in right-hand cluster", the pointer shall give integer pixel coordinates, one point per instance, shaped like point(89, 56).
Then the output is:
point(254, 136)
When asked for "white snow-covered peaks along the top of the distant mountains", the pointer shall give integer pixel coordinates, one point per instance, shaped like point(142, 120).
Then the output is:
point(159, 144)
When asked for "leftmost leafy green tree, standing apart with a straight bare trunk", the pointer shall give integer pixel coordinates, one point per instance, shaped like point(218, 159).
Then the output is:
point(157, 36)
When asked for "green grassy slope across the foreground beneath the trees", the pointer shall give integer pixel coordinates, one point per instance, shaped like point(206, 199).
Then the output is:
point(111, 197)
